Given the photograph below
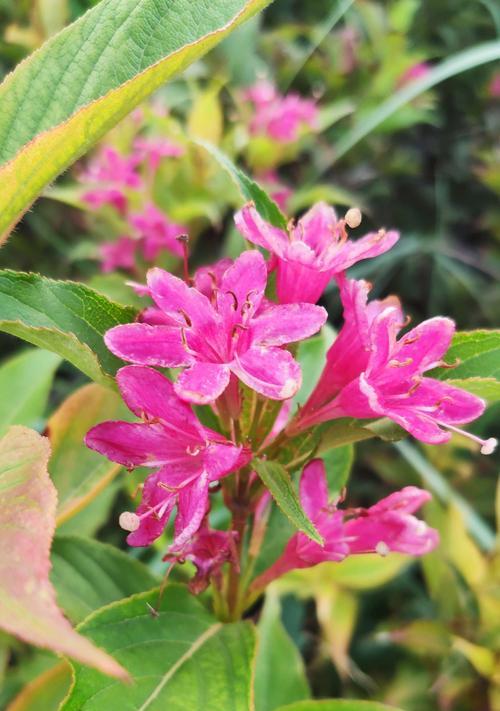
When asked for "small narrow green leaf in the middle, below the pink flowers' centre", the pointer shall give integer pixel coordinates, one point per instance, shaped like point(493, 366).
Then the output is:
point(279, 483)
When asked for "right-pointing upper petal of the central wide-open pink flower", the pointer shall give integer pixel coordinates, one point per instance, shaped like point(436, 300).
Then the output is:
point(287, 323)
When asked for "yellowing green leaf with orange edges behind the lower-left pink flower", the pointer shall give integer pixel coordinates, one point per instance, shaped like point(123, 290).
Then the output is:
point(79, 473)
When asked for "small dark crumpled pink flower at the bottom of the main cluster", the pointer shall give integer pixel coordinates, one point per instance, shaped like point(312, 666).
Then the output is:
point(208, 551)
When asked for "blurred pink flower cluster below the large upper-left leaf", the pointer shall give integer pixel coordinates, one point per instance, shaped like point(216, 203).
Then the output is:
point(112, 179)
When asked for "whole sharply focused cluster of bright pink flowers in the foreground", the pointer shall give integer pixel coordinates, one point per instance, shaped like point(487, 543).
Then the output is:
point(221, 331)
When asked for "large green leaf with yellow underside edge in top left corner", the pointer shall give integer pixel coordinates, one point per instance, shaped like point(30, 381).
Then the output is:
point(68, 94)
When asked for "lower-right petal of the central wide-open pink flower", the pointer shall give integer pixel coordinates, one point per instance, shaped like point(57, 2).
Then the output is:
point(272, 372)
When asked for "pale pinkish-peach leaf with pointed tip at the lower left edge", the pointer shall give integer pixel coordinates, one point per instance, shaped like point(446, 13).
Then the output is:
point(28, 607)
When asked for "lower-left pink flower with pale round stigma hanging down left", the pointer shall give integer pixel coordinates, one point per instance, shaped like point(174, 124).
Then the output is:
point(189, 456)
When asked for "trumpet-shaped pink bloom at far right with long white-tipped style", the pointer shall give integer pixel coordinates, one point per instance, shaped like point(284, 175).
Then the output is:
point(370, 372)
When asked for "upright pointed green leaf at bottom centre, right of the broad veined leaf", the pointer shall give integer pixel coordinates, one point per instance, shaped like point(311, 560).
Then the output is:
point(280, 676)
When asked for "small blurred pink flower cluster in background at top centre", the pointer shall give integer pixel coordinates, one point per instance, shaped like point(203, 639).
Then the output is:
point(279, 117)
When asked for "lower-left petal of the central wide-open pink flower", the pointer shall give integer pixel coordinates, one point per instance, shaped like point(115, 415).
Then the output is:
point(202, 383)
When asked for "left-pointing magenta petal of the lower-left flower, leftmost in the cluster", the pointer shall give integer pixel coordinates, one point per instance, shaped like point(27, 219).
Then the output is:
point(129, 444)
